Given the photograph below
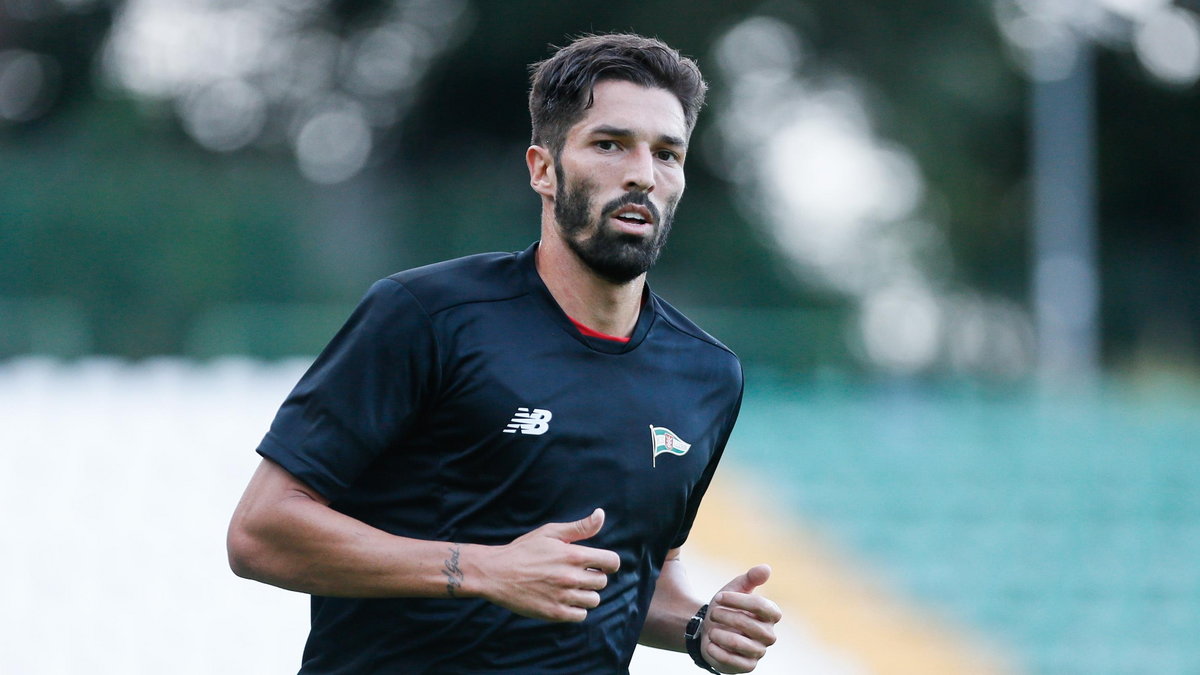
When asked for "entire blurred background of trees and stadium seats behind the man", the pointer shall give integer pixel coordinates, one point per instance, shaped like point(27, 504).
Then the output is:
point(957, 246)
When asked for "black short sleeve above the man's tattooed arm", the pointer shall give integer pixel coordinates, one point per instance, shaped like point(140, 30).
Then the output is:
point(361, 397)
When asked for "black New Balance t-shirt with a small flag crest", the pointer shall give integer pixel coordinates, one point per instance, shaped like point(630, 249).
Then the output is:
point(460, 404)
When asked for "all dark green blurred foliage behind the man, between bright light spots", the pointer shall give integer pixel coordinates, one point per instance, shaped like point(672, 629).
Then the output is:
point(109, 207)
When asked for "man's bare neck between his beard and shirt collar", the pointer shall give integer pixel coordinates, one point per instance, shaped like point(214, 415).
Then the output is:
point(584, 296)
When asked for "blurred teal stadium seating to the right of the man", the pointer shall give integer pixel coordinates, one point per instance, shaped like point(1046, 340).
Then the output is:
point(1065, 528)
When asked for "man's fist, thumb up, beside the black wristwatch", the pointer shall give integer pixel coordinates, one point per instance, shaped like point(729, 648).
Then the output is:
point(740, 625)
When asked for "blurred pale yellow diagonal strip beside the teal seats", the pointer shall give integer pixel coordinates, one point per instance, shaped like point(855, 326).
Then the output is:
point(837, 600)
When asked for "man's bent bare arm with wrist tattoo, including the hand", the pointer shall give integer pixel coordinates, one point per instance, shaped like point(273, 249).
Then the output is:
point(285, 534)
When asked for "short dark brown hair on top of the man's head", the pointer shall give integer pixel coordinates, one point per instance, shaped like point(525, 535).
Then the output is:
point(562, 86)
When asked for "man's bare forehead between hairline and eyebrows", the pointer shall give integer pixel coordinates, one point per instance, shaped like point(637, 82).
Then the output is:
point(649, 111)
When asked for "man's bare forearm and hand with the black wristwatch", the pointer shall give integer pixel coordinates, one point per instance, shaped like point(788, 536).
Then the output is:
point(737, 630)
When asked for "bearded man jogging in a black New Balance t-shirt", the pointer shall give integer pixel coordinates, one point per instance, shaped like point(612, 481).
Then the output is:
point(494, 465)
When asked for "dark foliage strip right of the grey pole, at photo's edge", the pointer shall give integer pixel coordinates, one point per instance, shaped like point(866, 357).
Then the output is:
point(1150, 242)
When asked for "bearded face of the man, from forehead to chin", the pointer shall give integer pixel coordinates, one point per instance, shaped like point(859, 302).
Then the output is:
point(620, 177)
